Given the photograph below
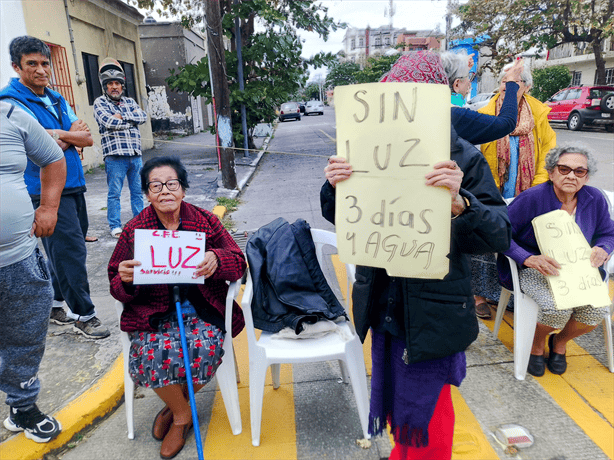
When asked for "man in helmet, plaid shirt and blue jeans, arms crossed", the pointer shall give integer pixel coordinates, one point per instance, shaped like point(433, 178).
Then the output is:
point(118, 118)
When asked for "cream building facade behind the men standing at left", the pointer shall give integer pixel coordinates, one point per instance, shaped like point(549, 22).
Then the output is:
point(80, 35)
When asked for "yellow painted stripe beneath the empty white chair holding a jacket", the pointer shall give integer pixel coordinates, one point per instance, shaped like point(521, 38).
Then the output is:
point(278, 428)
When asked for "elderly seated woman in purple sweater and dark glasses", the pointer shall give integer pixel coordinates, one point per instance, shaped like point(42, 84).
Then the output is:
point(569, 168)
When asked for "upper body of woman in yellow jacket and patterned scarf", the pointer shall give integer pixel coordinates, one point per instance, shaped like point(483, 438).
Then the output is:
point(517, 160)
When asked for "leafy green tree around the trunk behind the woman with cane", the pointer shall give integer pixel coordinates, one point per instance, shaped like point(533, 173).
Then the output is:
point(272, 63)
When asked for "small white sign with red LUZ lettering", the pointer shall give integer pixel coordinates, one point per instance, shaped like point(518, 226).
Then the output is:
point(167, 256)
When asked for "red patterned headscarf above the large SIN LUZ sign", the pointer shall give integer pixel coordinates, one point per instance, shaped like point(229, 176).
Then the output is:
point(417, 67)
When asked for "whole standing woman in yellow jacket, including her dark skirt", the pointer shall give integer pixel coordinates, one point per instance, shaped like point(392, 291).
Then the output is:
point(517, 163)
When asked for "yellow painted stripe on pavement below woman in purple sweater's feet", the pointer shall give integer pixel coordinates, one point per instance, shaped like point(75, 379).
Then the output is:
point(584, 392)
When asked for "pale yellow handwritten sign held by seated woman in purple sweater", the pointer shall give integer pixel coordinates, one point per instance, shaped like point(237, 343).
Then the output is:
point(578, 283)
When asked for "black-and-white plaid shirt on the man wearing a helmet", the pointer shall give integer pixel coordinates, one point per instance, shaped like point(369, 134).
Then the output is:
point(119, 137)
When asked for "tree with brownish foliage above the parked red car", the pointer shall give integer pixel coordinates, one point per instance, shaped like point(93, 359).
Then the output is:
point(515, 26)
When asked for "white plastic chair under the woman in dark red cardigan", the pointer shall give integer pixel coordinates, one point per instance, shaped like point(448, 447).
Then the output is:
point(226, 376)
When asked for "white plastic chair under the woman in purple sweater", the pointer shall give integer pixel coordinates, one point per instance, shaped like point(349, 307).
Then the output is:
point(525, 320)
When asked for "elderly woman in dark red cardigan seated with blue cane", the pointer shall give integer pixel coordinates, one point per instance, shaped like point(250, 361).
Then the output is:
point(156, 354)
